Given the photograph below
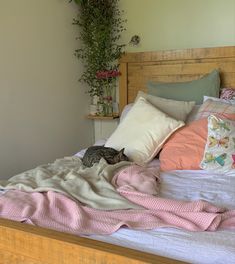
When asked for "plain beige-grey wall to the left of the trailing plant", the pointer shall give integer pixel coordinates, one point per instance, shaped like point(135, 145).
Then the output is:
point(42, 104)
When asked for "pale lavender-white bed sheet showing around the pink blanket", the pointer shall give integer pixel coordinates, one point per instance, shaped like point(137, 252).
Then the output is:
point(193, 247)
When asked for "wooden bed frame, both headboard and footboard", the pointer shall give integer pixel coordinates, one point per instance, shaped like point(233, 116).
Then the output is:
point(26, 244)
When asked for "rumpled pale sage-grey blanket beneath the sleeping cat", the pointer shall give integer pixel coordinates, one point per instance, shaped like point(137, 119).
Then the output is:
point(91, 186)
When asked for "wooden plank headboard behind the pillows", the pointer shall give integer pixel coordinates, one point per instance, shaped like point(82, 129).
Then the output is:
point(173, 66)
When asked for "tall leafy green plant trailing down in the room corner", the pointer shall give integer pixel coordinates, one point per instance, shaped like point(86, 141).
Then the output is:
point(101, 24)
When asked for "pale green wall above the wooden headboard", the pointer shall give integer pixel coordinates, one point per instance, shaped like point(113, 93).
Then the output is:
point(179, 24)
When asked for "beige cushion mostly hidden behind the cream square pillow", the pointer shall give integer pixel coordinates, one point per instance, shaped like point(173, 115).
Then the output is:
point(176, 109)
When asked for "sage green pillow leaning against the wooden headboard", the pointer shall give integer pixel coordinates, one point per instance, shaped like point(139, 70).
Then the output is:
point(208, 85)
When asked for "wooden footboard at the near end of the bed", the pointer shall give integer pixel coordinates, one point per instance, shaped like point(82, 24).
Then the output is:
point(26, 244)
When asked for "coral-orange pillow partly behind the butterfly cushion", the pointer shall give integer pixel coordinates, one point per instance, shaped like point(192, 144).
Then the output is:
point(185, 148)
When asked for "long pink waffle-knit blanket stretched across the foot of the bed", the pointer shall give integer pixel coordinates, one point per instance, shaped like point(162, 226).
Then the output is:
point(56, 211)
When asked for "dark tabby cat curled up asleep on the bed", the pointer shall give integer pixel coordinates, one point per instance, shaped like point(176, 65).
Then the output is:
point(95, 153)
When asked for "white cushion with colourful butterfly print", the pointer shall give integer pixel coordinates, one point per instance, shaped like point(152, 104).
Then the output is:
point(219, 154)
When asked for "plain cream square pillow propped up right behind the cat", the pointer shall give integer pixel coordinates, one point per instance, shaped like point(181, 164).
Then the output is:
point(143, 132)
